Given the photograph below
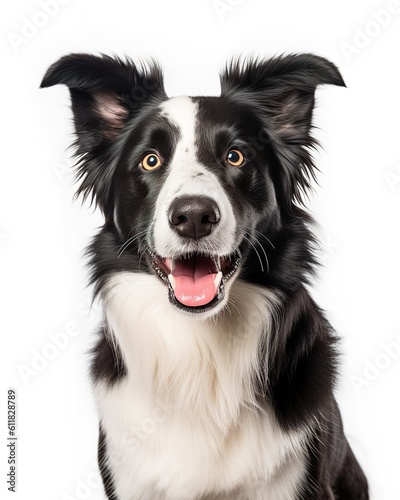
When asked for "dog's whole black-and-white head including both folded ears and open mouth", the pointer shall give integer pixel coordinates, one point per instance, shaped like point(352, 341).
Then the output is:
point(194, 184)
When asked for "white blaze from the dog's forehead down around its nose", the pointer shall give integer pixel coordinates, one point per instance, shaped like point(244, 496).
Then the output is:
point(188, 177)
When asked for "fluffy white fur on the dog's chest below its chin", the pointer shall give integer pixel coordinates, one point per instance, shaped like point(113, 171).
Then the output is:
point(184, 424)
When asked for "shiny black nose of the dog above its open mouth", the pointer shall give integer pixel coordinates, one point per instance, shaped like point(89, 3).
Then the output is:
point(193, 217)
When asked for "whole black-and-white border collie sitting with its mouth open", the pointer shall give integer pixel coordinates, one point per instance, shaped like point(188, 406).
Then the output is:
point(214, 369)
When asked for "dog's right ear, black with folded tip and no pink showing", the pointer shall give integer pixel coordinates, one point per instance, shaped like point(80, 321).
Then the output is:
point(282, 92)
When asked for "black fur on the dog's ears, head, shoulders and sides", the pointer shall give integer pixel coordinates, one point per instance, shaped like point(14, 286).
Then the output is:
point(266, 108)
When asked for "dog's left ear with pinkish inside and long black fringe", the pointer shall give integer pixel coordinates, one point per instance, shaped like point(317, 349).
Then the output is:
point(105, 93)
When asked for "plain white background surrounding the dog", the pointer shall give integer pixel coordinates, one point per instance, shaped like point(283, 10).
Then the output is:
point(42, 233)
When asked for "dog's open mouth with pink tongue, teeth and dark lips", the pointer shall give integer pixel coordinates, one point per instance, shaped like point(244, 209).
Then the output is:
point(196, 282)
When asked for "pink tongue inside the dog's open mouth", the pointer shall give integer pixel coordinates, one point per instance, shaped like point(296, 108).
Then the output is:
point(194, 281)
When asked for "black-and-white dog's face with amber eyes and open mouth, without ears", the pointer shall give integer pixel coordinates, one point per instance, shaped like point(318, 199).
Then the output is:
point(192, 191)
